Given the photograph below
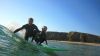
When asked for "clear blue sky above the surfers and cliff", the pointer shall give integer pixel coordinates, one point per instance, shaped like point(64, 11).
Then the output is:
point(57, 15)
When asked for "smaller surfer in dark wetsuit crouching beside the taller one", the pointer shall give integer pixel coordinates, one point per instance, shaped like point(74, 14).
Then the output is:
point(42, 36)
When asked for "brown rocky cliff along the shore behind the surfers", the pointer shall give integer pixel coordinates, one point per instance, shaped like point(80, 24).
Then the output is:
point(73, 36)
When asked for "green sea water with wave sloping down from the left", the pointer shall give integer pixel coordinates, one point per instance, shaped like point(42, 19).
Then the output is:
point(12, 45)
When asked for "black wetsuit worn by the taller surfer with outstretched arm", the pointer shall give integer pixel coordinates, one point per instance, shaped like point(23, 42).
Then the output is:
point(31, 31)
